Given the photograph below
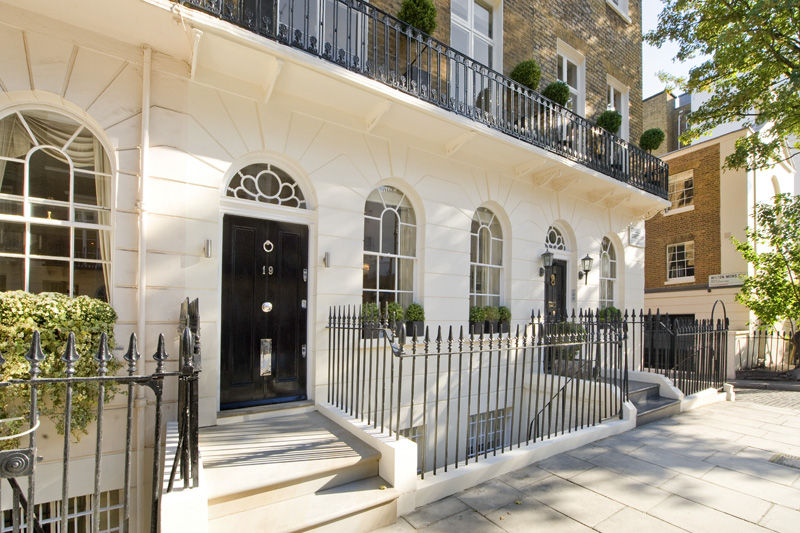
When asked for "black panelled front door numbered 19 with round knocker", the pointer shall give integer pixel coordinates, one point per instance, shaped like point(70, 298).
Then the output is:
point(264, 302)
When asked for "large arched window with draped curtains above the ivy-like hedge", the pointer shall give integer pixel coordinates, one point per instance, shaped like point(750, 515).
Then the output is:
point(55, 206)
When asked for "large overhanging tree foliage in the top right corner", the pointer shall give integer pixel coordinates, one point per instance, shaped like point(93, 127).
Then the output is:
point(751, 69)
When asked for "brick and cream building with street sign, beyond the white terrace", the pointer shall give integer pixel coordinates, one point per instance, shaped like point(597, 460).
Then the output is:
point(690, 259)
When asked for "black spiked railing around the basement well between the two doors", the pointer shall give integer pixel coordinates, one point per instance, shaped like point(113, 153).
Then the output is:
point(462, 397)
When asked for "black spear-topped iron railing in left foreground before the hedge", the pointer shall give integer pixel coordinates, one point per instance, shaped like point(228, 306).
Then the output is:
point(21, 464)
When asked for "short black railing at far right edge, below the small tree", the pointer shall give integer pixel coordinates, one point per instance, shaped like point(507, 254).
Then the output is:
point(767, 351)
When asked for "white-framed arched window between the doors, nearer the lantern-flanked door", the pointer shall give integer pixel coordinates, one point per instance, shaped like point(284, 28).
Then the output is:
point(486, 259)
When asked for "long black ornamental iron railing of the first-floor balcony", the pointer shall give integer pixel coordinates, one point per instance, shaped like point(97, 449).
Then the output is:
point(364, 39)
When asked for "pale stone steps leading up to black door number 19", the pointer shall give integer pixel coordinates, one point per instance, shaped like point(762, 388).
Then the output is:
point(294, 473)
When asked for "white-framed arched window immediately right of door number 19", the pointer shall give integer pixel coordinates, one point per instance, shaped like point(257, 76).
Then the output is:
point(390, 237)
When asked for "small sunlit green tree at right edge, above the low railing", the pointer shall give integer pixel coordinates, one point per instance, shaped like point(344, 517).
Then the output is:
point(772, 247)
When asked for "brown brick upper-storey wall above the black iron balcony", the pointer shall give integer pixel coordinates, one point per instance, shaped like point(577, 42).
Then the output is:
point(530, 30)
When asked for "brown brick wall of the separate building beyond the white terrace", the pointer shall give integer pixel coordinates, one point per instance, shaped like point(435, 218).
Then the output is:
point(701, 225)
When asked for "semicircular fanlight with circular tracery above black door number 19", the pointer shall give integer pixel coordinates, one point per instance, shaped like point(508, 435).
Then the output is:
point(266, 183)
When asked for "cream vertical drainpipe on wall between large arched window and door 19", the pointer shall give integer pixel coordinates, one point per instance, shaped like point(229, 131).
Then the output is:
point(141, 402)
